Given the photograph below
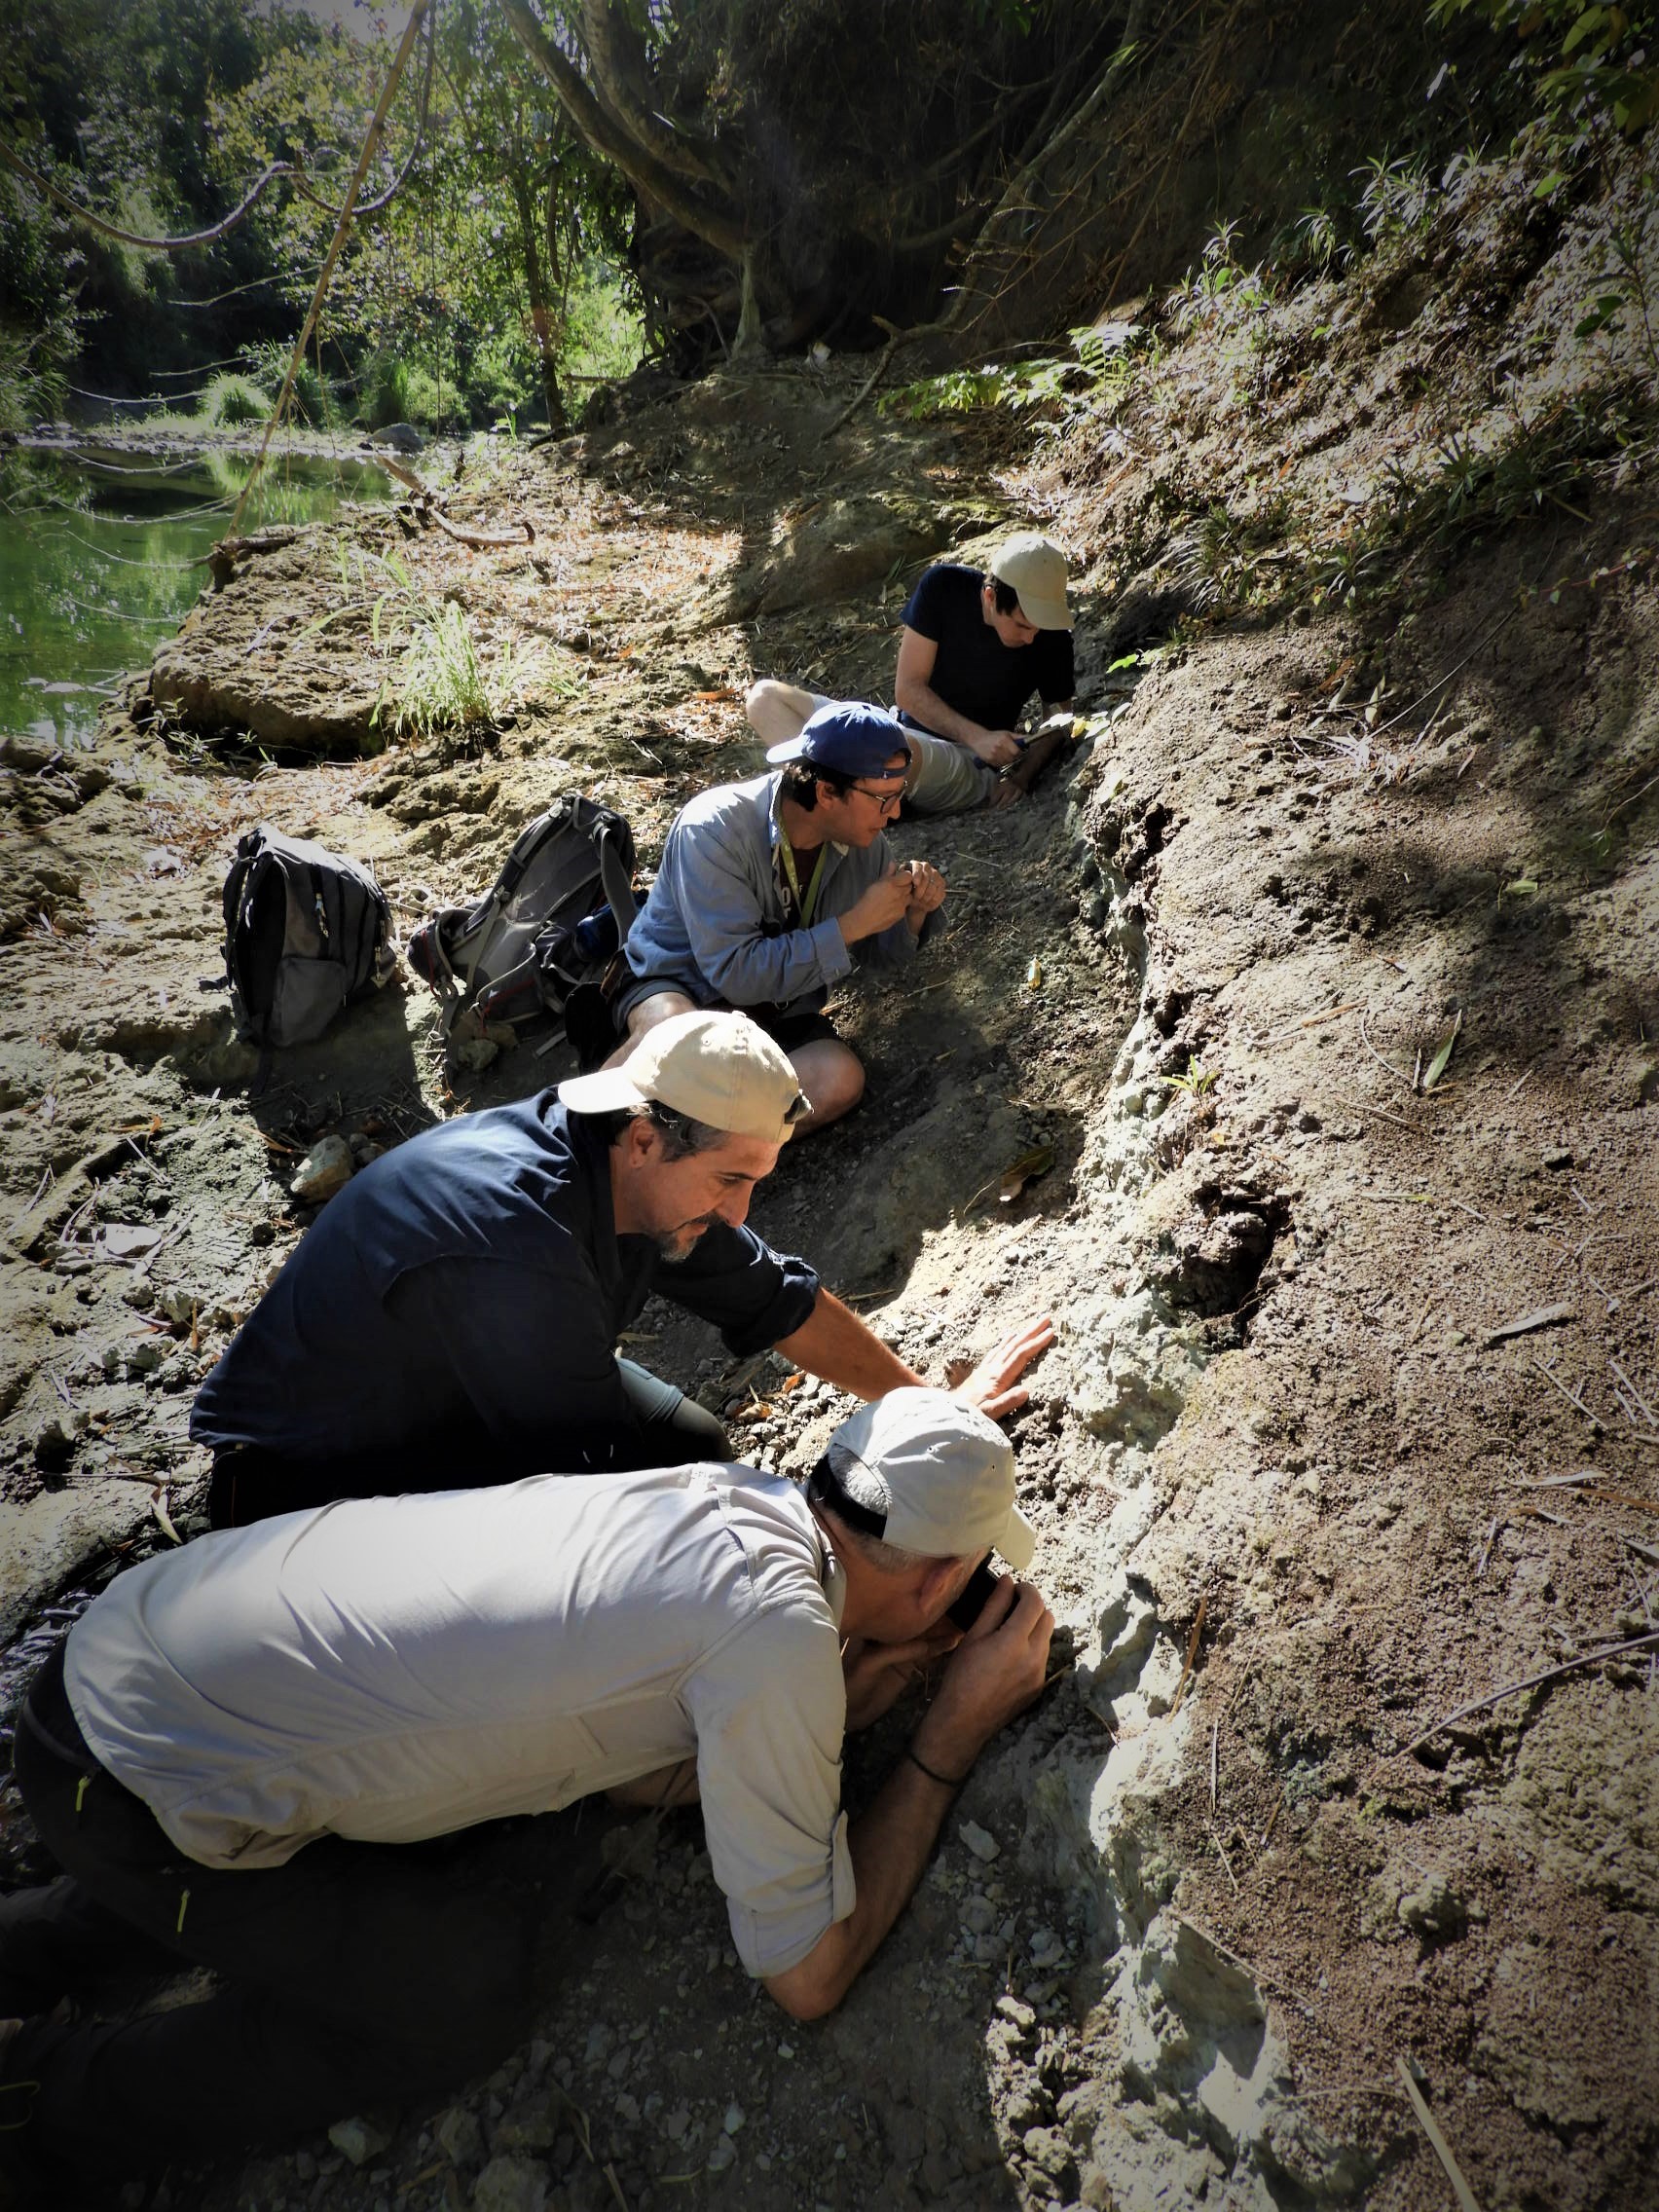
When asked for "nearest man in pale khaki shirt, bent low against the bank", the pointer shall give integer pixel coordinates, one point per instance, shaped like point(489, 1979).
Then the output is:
point(238, 1744)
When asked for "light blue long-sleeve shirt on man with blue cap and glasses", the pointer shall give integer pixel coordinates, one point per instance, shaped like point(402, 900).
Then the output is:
point(716, 921)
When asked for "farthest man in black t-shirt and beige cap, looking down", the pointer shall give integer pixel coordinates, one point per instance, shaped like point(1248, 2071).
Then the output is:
point(974, 649)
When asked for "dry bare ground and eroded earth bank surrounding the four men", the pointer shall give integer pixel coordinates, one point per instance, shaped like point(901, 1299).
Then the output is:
point(1288, 1457)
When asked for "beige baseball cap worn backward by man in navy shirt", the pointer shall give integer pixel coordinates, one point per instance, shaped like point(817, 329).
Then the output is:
point(720, 1070)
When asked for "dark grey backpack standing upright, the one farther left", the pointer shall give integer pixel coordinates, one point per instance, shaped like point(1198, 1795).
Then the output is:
point(304, 935)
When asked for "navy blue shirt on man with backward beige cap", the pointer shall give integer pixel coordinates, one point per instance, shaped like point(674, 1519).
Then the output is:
point(461, 1302)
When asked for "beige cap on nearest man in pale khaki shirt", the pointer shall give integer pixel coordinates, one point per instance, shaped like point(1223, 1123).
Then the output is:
point(930, 1474)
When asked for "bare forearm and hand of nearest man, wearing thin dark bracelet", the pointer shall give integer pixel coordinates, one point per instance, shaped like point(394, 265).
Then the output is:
point(994, 1673)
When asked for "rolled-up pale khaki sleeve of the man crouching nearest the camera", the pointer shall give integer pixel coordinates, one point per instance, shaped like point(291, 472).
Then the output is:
point(771, 1713)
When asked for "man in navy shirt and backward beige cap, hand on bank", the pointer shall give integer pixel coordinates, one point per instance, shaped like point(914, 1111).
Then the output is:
point(452, 1315)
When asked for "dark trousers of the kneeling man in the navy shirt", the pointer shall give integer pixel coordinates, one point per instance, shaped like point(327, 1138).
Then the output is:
point(671, 1430)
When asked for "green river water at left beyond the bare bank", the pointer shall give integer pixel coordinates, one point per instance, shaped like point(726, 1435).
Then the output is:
point(101, 559)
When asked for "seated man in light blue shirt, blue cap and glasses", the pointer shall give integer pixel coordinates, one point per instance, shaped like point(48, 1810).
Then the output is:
point(773, 890)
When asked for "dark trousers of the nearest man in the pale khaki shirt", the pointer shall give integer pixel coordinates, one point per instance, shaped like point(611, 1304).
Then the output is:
point(353, 1976)
